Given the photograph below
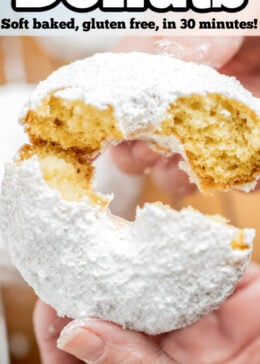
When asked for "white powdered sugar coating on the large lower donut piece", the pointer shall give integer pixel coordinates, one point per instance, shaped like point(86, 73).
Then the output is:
point(161, 272)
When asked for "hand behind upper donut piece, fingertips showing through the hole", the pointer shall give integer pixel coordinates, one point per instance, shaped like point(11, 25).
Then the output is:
point(219, 52)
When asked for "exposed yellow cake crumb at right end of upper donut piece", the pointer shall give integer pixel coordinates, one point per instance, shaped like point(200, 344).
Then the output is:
point(221, 138)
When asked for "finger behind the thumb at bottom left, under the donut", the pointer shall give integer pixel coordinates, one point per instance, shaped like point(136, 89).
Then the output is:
point(47, 327)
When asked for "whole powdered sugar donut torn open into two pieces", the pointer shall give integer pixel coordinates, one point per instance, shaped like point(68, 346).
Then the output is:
point(167, 268)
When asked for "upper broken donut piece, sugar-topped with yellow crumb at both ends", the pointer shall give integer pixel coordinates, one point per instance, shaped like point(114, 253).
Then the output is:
point(210, 119)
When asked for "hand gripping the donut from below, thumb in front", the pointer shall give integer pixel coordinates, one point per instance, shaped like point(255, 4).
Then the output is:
point(230, 335)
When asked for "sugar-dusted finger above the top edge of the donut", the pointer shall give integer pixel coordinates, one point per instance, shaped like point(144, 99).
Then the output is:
point(213, 51)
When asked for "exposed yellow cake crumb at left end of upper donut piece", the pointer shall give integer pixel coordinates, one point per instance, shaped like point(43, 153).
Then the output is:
point(72, 125)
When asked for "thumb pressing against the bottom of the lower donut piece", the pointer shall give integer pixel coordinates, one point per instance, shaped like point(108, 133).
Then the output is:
point(95, 341)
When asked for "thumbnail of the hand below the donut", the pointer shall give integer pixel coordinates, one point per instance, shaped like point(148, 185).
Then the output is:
point(81, 342)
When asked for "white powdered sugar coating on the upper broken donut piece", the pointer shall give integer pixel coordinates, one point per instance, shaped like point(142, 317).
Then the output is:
point(139, 86)
